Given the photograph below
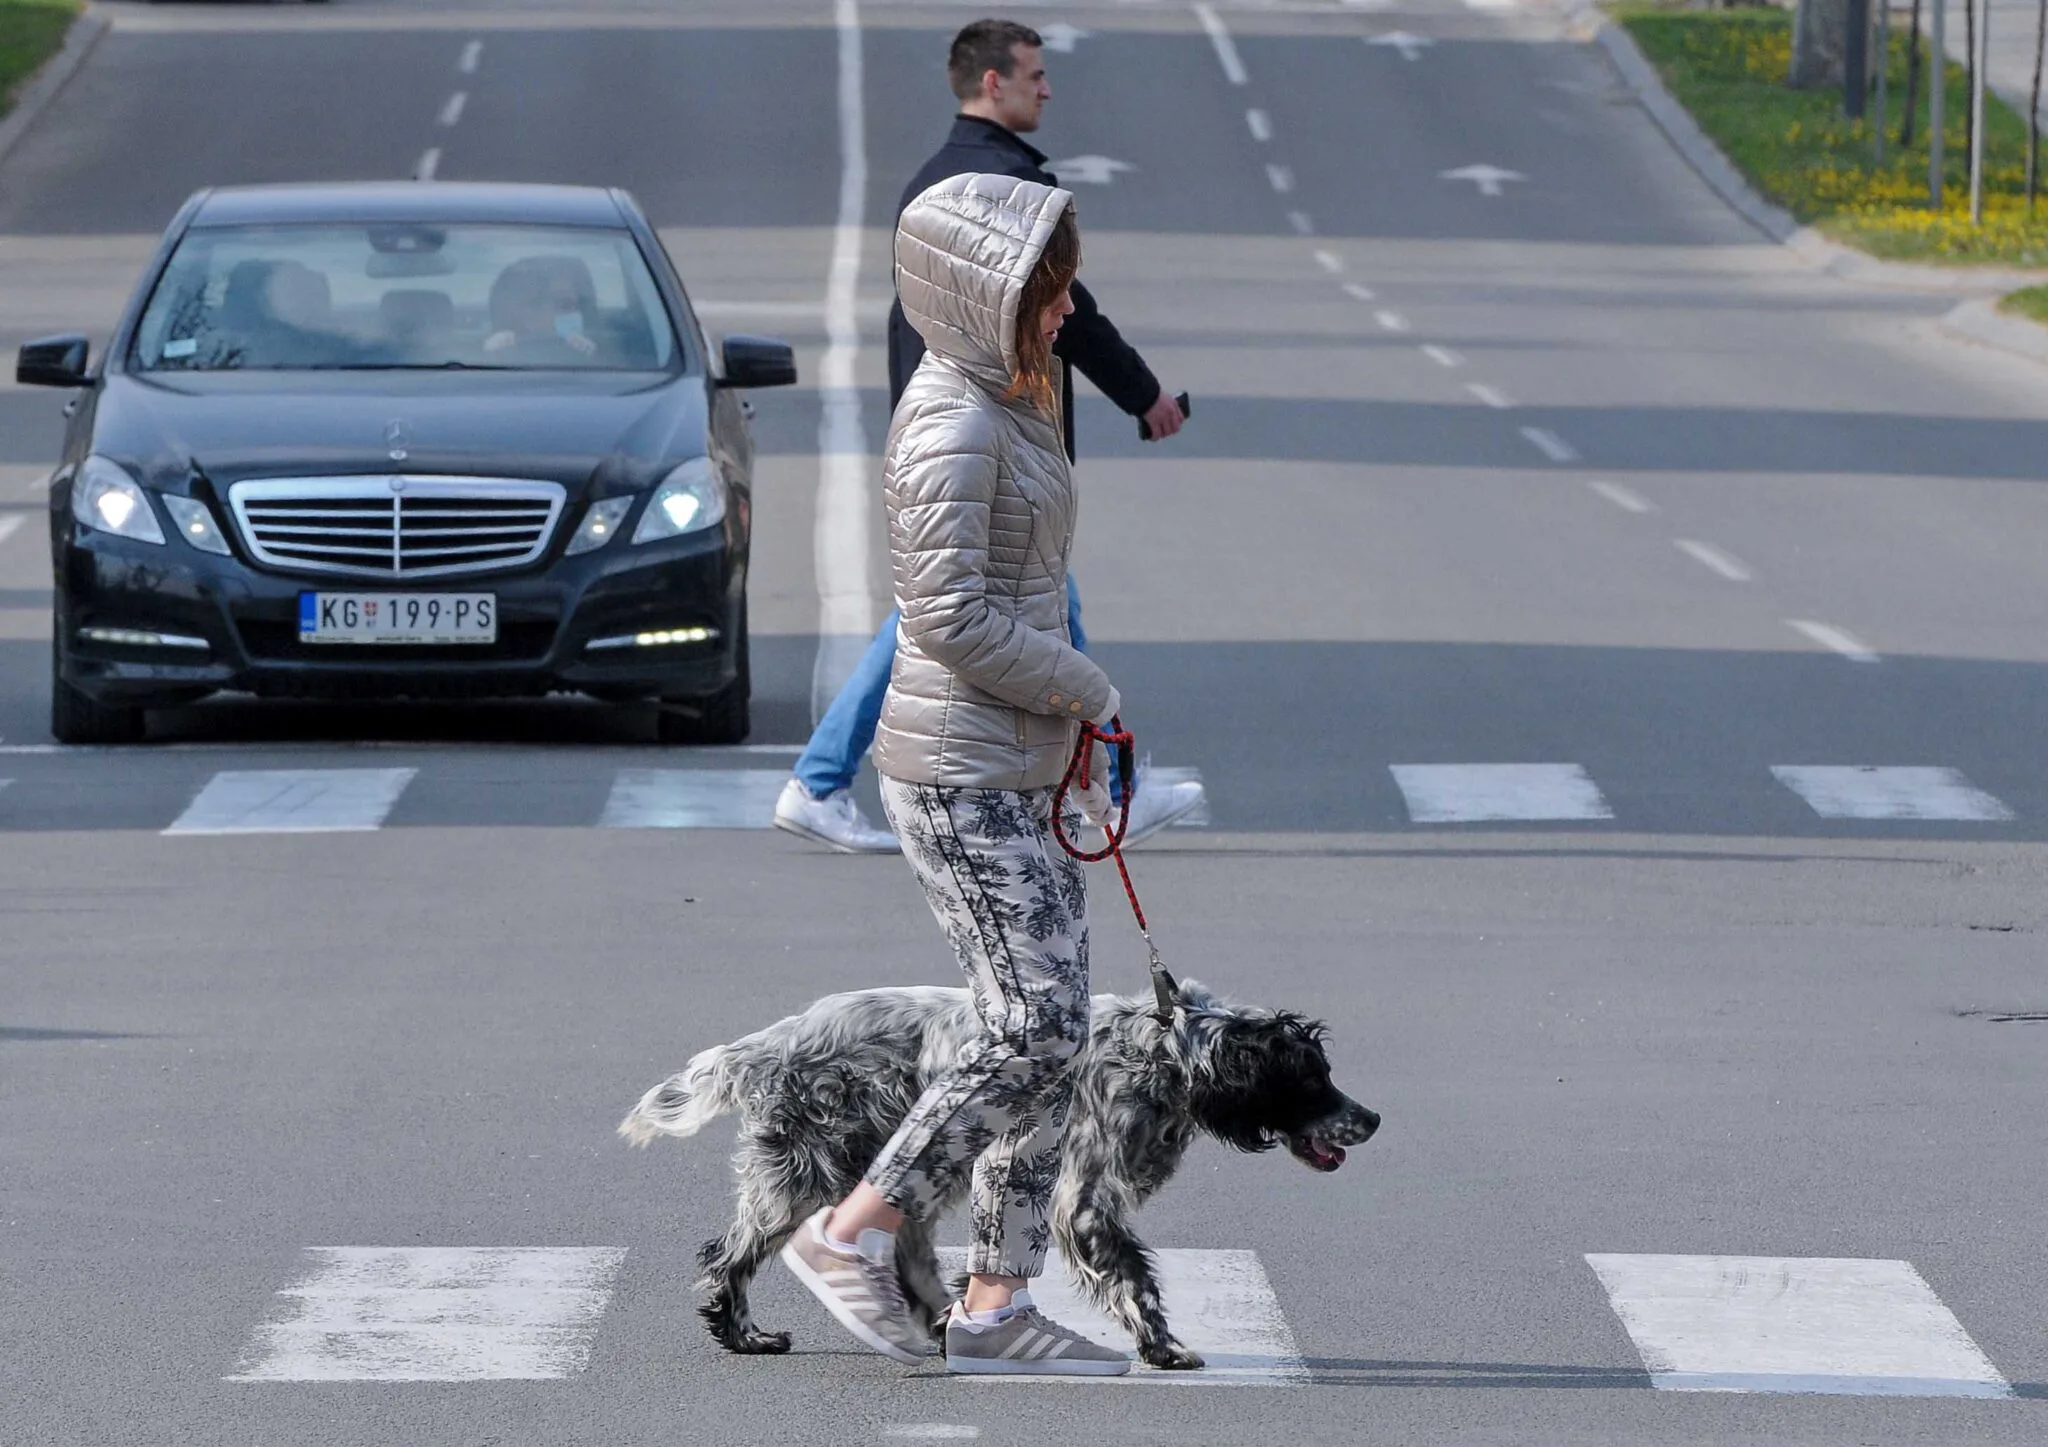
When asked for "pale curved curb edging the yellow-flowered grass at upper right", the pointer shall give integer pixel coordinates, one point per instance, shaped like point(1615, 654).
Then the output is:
point(1717, 171)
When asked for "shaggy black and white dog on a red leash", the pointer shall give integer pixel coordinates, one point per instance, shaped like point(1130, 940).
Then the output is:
point(818, 1094)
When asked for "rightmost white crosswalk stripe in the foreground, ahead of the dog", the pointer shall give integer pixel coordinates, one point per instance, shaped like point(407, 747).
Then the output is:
point(1793, 1325)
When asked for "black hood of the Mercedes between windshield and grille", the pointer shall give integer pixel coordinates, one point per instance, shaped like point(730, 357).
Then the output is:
point(613, 431)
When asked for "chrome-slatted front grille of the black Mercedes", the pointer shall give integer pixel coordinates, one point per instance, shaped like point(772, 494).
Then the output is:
point(396, 527)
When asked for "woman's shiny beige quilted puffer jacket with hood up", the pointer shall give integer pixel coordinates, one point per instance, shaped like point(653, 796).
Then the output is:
point(986, 689)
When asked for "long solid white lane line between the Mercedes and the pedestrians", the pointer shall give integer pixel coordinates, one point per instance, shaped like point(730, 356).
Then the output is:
point(841, 531)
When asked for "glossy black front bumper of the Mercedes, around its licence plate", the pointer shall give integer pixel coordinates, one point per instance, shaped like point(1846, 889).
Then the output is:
point(249, 623)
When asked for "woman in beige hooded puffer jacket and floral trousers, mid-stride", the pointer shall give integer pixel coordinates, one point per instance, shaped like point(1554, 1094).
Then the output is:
point(978, 728)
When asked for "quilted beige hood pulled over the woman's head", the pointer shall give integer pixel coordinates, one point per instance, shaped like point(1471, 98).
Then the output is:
point(964, 253)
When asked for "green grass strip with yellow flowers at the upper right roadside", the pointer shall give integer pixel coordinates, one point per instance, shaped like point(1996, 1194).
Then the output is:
point(1797, 148)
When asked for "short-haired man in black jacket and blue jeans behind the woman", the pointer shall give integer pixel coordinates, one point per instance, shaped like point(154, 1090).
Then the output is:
point(998, 73)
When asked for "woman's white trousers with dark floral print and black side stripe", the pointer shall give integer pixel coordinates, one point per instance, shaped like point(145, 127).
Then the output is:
point(1015, 910)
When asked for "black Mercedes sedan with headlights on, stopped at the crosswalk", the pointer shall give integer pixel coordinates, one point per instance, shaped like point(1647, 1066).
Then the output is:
point(404, 441)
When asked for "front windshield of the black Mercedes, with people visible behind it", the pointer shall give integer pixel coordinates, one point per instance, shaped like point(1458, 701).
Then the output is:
point(302, 298)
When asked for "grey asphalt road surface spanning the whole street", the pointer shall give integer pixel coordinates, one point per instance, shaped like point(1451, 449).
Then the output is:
point(1580, 476)
